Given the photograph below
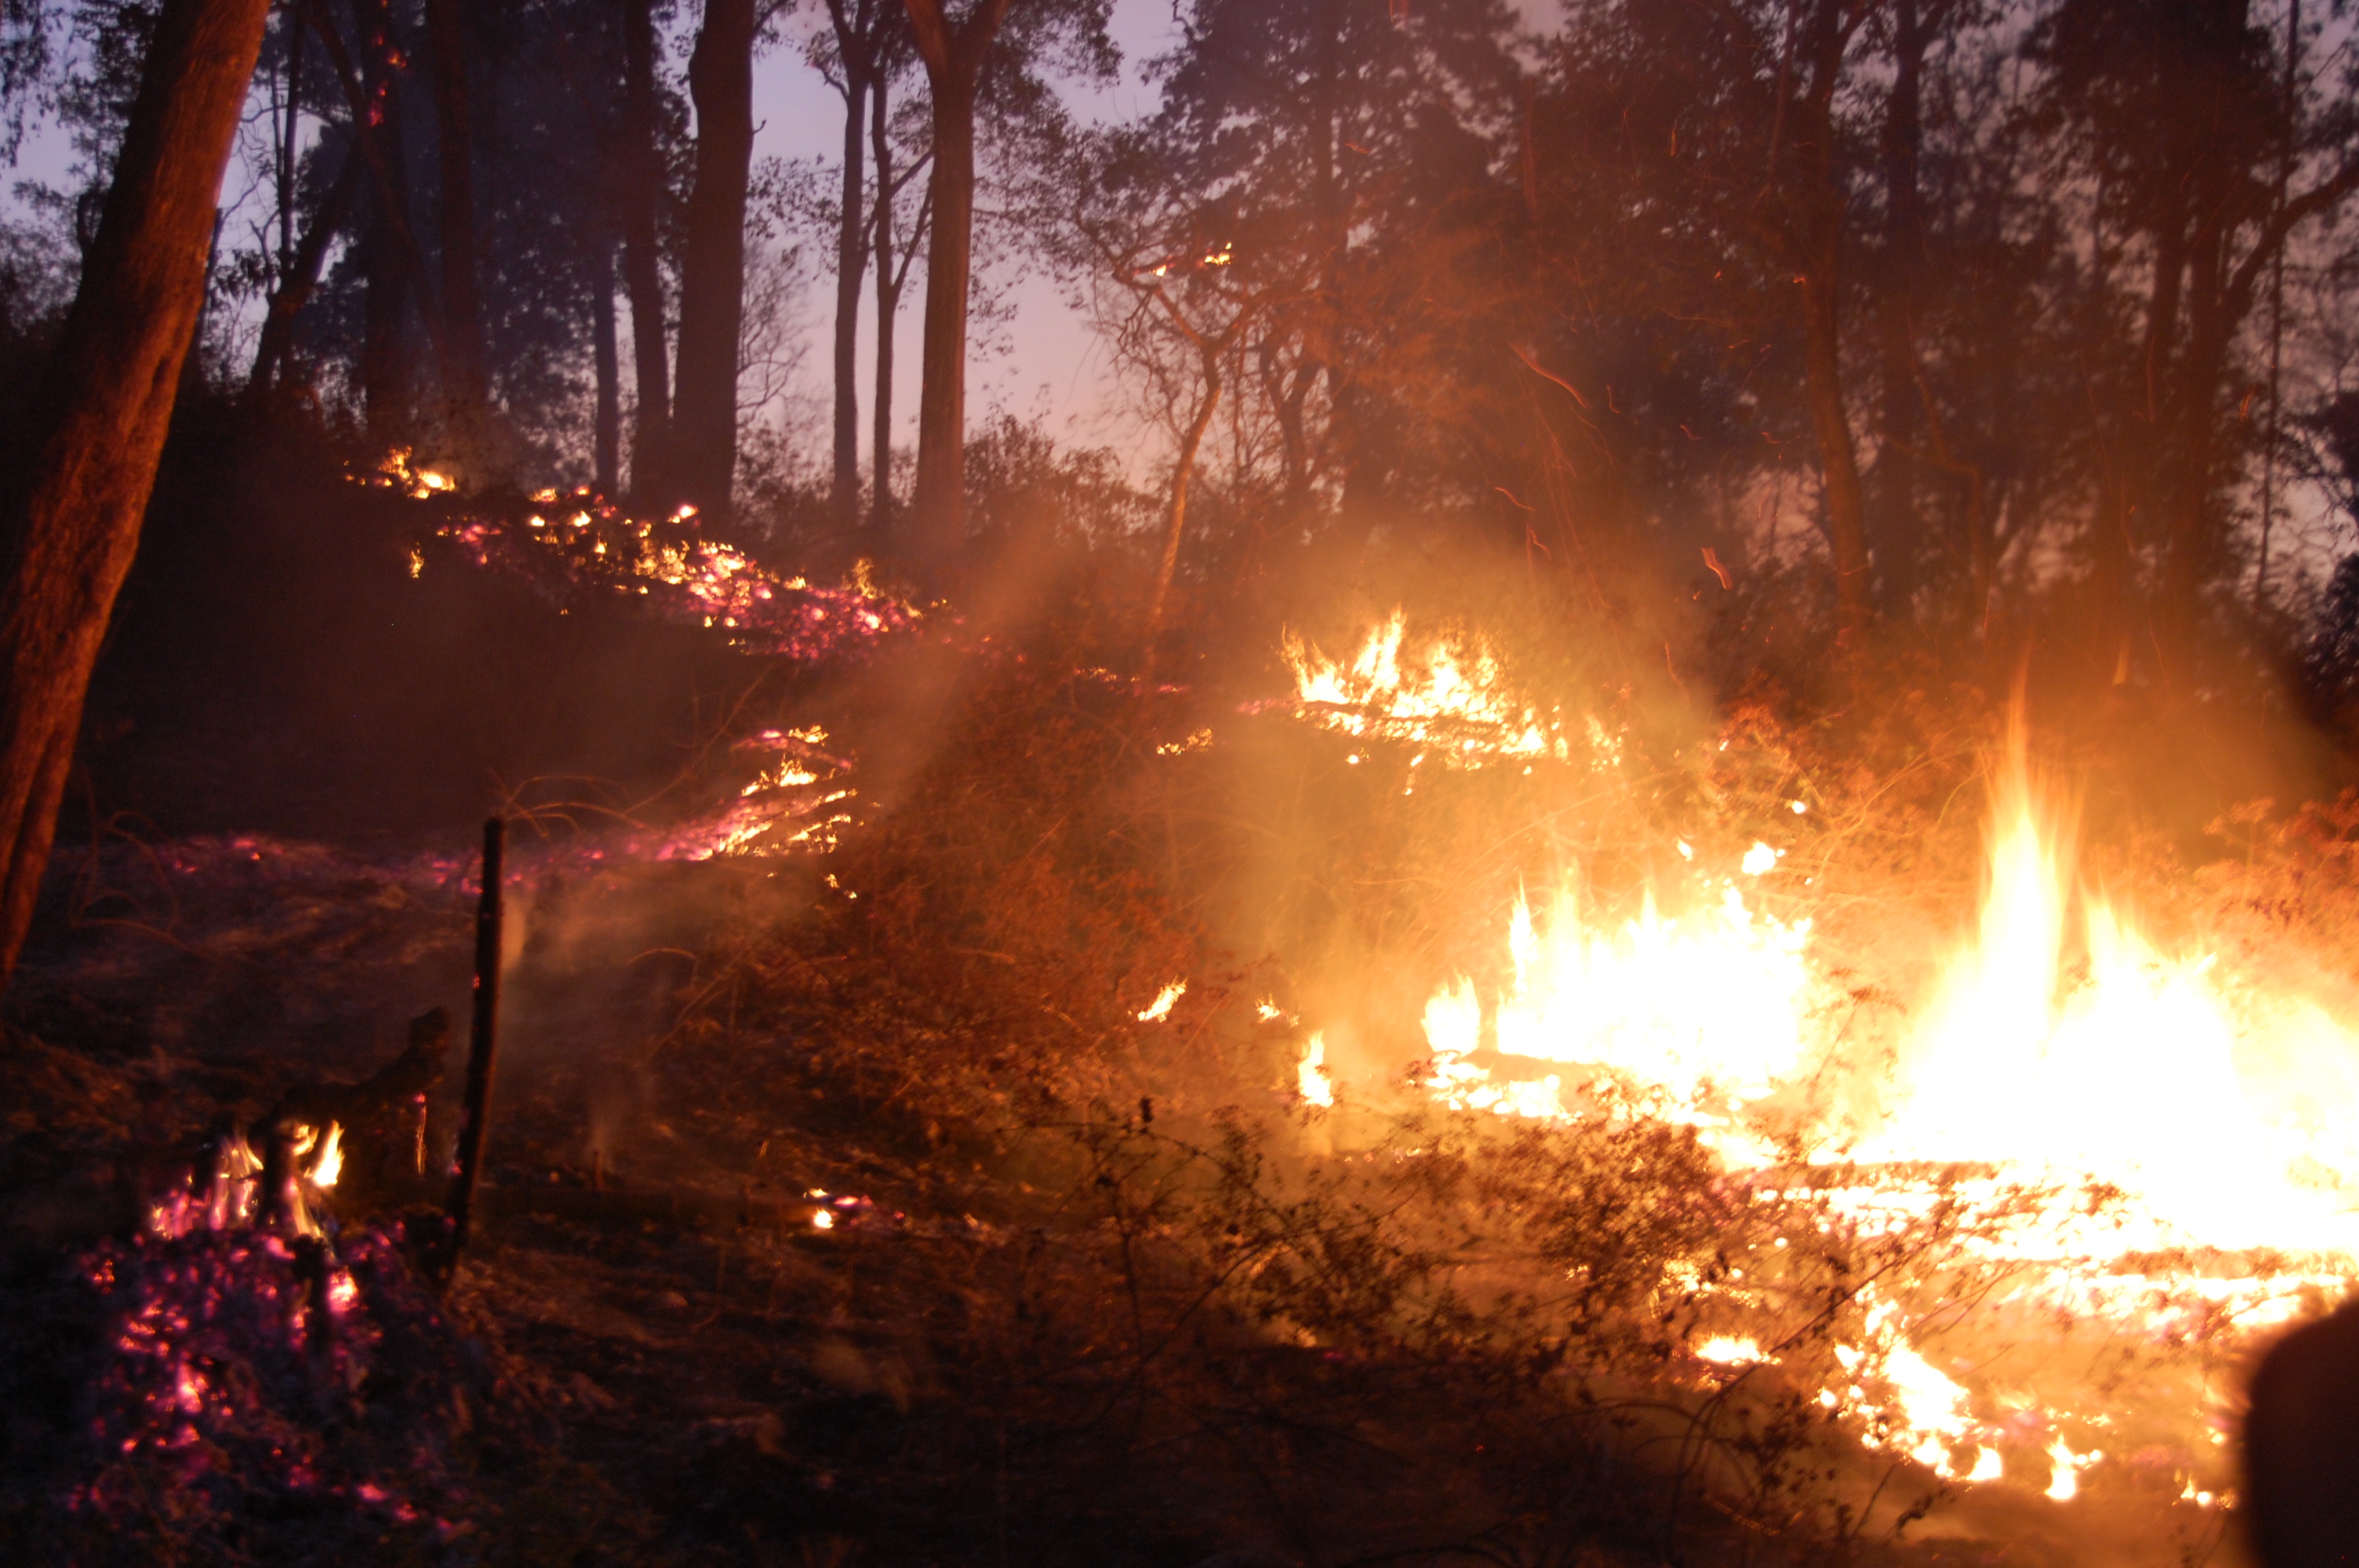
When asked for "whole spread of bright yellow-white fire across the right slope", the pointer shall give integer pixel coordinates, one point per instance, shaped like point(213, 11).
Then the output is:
point(2129, 1142)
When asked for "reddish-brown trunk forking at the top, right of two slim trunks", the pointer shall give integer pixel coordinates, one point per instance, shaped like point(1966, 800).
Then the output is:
point(954, 60)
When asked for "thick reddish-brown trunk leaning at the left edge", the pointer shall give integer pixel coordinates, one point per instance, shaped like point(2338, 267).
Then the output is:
point(103, 414)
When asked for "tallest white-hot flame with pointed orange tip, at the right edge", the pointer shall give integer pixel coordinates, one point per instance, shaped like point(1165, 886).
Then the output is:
point(2129, 1076)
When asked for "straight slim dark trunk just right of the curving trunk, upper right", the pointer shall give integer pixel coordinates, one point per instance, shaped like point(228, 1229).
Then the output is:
point(1898, 527)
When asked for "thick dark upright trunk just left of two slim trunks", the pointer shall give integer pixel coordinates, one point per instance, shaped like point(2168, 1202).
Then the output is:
point(714, 261)
